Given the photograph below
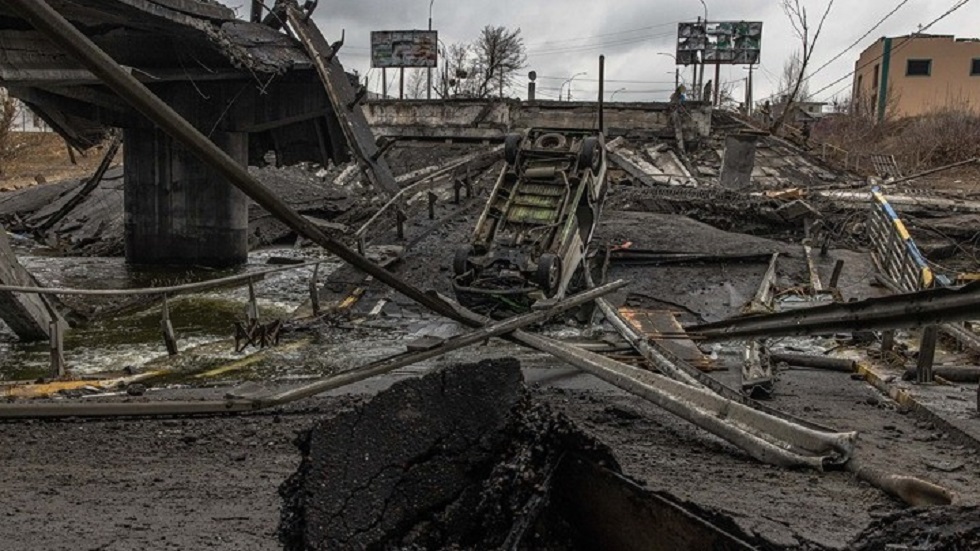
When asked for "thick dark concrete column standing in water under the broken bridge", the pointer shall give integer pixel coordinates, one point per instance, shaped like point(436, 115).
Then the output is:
point(179, 211)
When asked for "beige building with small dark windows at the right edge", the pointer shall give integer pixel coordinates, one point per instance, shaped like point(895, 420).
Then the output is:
point(911, 75)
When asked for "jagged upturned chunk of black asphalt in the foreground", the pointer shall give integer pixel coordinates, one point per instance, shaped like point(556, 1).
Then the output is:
point(457, 458)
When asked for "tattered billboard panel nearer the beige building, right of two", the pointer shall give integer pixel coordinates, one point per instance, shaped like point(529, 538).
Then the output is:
point(726, 42)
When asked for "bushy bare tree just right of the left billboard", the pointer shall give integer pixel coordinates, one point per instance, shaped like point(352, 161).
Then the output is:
point(500, 54)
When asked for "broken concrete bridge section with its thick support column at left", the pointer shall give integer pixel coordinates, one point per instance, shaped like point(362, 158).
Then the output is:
point(247, 86)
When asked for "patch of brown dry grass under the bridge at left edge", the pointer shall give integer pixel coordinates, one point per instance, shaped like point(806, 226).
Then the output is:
point(38, 156)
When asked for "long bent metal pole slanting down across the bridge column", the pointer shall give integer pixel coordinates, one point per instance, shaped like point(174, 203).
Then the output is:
point(62, 33)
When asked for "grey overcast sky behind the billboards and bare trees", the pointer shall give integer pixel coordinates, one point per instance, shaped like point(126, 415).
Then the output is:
point(565, 37)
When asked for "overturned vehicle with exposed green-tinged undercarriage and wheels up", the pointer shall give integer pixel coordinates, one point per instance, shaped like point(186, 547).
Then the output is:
point(535, 230)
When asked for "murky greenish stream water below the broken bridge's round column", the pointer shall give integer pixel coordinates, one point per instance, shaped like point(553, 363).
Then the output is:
point(131, 338)
